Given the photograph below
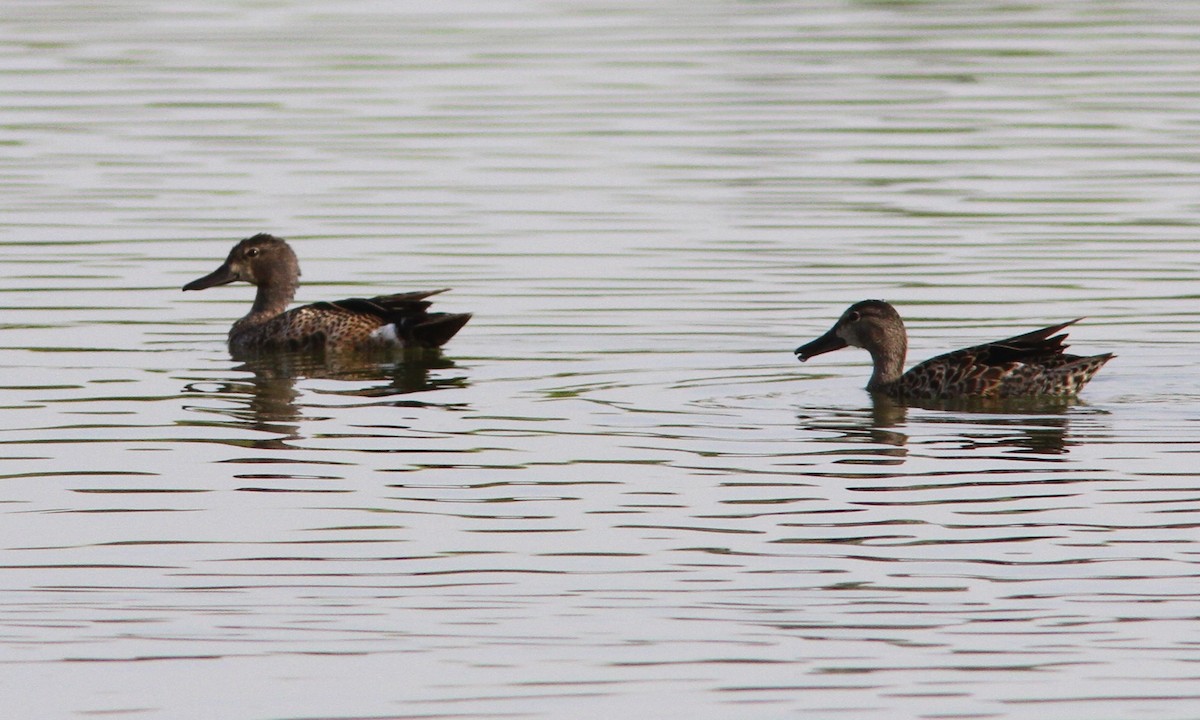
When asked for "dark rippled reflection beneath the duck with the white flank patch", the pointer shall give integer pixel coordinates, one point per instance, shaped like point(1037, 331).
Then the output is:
point(268, 400)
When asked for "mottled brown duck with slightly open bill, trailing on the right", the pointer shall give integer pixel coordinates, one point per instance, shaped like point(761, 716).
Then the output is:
point(1029, 365)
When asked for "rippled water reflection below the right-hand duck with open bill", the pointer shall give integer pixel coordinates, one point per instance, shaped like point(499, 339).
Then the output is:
point(887, 427)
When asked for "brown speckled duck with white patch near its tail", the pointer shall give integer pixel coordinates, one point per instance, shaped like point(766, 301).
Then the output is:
point(353, 325)
